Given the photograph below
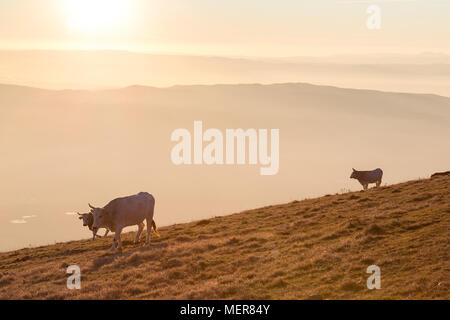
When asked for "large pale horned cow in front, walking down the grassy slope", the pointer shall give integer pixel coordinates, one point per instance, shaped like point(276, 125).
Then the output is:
point(123, 212)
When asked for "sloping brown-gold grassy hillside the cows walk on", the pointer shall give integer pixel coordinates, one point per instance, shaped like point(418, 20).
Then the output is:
point(315, 247)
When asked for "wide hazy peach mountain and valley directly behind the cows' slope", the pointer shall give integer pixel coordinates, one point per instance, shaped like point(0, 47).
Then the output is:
point(63, 149)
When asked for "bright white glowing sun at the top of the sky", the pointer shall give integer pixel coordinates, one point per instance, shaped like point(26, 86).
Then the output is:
point(95, 16)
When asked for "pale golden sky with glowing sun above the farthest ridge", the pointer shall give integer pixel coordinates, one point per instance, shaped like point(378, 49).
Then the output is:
point(231, 27)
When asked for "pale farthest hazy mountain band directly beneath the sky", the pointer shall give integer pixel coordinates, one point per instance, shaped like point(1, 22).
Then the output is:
point(424, 73)
